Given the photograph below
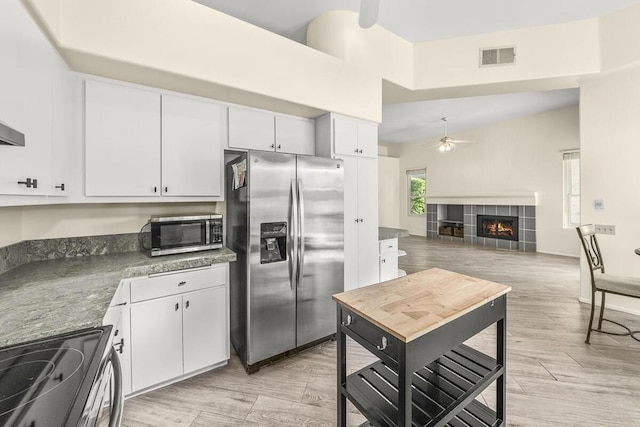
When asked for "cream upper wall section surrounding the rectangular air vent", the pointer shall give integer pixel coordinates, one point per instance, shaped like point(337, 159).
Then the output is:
point(545, 52)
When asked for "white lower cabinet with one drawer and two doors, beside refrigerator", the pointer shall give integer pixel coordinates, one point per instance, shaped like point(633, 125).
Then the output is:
point(178, 330)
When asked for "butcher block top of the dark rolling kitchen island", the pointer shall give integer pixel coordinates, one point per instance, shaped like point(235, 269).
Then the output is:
point(411, 306)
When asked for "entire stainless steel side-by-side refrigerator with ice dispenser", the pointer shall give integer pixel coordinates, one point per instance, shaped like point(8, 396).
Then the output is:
point(285, 221)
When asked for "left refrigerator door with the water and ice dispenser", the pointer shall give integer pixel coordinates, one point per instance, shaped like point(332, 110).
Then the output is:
point(271, 290)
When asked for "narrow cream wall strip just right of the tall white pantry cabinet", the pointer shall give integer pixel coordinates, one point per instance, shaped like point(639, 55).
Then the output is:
point(388, 195)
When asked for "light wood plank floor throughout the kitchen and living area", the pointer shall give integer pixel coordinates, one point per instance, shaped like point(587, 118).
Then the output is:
point(553, 377)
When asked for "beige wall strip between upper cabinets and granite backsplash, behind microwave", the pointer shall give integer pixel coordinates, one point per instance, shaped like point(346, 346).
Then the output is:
point(53, 221)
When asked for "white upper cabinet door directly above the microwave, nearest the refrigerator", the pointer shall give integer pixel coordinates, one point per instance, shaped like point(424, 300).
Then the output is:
point(192, 135)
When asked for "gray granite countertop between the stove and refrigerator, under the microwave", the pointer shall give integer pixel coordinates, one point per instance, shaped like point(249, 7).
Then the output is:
point(44, 298)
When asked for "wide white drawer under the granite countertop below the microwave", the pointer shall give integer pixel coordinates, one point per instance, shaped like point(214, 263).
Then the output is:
point(146, 288)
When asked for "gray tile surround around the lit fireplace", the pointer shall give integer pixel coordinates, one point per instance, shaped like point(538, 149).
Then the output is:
point(526, 225)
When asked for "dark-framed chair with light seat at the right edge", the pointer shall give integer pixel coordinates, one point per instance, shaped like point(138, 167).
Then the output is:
point(605, 283)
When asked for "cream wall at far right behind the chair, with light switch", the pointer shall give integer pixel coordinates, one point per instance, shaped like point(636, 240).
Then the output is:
point(610, 153)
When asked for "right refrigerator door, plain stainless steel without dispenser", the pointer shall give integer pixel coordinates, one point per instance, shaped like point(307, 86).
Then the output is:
point(321, 228)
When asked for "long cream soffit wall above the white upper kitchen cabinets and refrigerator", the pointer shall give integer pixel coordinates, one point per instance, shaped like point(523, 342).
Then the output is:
point(185, 46)
